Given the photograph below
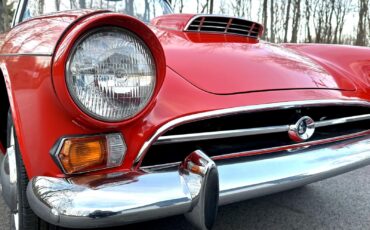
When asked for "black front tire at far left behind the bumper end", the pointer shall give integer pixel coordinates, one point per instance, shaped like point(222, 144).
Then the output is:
point(27, 219)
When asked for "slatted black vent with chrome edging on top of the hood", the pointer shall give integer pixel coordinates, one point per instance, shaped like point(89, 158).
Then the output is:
point(224, 25)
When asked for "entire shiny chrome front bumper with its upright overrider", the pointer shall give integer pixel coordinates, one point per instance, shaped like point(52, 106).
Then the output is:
point(123, 198)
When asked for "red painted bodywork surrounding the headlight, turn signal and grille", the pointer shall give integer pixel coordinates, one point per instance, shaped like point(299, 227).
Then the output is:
point(40, 113)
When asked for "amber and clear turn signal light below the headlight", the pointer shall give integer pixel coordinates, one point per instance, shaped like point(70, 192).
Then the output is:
point(91, 153)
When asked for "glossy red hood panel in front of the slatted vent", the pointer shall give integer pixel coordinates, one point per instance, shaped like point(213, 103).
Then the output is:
point(224, 64)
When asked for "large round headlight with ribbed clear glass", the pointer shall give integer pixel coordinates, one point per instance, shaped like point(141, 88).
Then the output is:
point(111, 74)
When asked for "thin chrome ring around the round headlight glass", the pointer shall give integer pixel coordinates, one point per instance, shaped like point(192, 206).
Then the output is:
point(68, 73)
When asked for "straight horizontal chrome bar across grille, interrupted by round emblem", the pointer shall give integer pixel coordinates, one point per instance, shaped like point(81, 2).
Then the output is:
point(170, 139)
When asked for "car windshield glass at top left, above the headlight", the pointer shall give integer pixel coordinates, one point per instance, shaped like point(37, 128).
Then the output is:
point(144, 10)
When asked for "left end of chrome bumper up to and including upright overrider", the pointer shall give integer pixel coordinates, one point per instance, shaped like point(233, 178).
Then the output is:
point(123, 198)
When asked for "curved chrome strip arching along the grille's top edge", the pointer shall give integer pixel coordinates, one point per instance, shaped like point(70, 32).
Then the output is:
point(245, 109)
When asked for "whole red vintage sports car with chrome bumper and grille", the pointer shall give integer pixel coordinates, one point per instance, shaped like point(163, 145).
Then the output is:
point(129, 113)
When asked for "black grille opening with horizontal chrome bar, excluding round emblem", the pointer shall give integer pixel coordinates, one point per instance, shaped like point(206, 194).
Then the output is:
point(253, 132)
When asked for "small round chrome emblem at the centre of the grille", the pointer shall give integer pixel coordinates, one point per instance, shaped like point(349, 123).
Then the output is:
point(302, 130)
